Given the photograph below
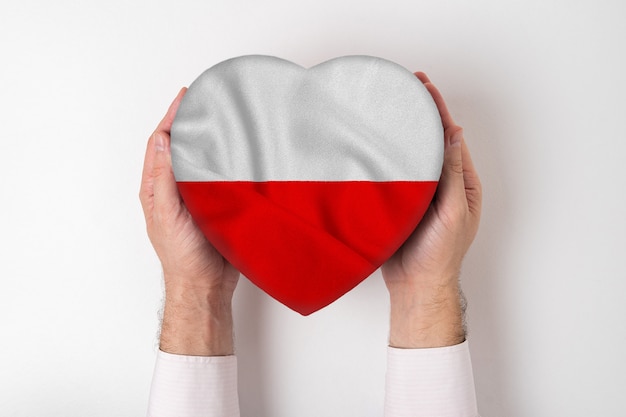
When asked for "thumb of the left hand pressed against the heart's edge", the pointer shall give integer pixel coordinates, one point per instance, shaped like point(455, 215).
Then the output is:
point(165, 190)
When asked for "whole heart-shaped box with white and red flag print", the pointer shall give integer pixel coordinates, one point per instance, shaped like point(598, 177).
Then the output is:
point(307, 180)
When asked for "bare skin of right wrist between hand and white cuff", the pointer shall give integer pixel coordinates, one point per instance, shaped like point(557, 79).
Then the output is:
point(426, 316)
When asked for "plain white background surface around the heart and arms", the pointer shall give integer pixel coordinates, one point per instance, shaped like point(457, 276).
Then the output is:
point(539, 87)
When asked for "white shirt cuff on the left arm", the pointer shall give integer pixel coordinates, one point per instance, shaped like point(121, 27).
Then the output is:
point(194, 386)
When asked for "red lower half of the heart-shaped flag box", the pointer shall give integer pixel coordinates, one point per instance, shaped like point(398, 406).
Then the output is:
point(307, 243)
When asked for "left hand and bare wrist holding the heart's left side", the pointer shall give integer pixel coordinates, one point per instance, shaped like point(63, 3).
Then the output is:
point(199, 282)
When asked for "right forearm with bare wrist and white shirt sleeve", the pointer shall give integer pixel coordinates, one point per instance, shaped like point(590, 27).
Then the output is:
point(429, 366)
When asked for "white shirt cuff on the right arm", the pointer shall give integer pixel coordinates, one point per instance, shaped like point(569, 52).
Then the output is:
point(433, 382)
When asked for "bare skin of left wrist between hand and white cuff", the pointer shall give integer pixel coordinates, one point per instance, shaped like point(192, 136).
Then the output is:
point(196, 322)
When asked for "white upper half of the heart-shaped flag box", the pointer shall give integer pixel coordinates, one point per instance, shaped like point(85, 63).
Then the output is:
point(262, 118)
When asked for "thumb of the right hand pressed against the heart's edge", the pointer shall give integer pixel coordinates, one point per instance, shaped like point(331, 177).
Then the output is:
point(451, 184)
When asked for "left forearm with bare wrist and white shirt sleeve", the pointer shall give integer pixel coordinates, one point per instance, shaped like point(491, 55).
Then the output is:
point(196, 371)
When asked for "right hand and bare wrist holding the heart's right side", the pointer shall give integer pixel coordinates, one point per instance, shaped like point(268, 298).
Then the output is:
point(422, 276)
